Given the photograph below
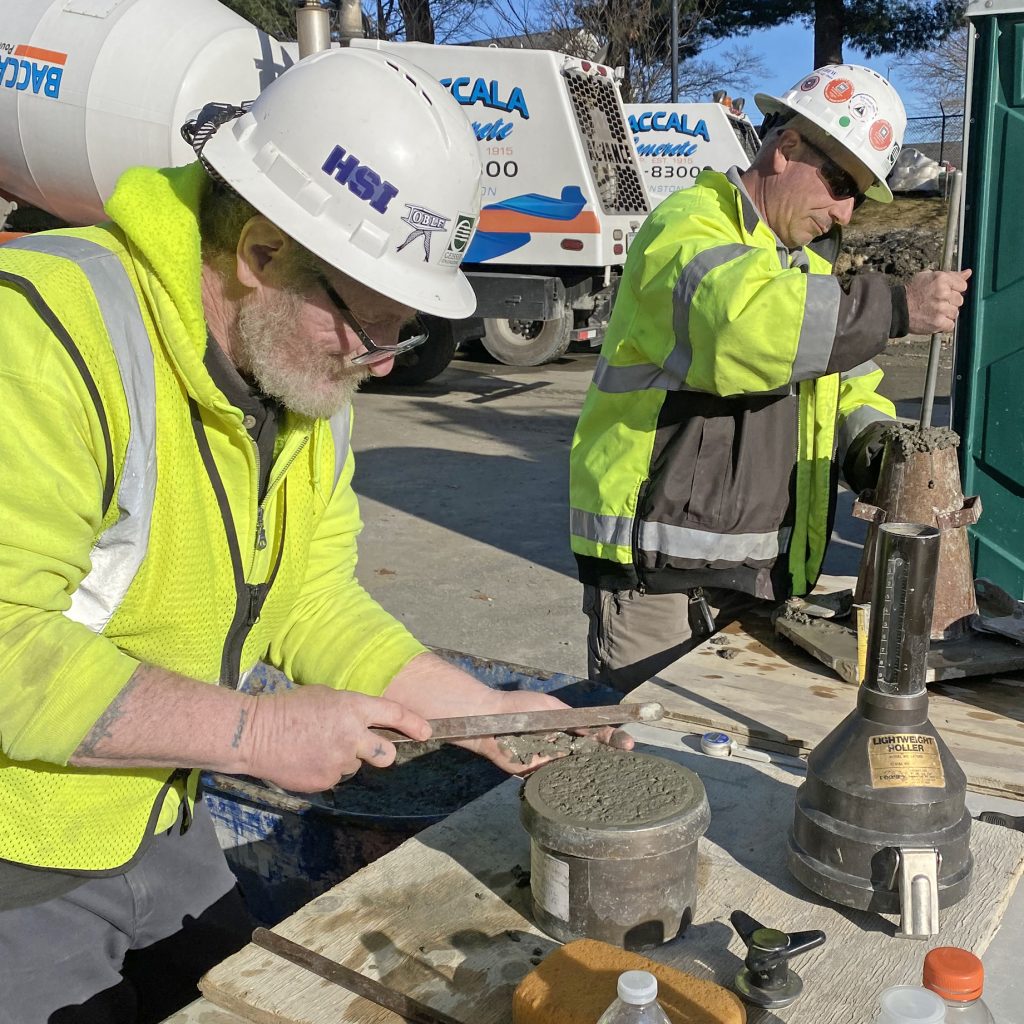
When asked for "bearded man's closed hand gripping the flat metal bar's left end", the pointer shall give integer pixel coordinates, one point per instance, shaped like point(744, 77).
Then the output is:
point(309, 739)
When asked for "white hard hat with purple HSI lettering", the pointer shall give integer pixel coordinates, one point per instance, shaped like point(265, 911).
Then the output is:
point(369, 163)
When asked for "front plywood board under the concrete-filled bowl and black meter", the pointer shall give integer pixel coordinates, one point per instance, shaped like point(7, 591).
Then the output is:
point(446, 919)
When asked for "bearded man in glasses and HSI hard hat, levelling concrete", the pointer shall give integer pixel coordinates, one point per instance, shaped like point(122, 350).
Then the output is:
point(178, 506)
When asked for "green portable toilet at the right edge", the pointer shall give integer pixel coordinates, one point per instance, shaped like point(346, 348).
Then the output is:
point(989, 378)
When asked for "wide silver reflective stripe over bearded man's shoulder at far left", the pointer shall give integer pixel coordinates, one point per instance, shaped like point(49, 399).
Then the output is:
point(119, 551)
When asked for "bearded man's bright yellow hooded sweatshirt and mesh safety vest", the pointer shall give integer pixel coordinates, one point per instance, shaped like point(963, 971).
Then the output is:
point(133, 531)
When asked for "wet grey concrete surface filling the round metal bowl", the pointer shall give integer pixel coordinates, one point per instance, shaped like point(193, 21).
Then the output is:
point(614, 788)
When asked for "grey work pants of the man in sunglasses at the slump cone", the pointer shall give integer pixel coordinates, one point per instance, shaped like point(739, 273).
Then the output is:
point(634, 635)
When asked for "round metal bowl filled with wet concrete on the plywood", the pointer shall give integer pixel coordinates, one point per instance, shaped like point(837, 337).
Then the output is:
point(614, 847)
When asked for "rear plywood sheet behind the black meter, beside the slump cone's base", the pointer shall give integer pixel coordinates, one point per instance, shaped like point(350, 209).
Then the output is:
point(774, 696)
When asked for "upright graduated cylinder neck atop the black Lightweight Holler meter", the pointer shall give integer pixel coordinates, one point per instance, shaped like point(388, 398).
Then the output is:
point(907, 565)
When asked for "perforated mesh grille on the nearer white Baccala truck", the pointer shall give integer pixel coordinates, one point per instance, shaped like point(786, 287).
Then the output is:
point(606, 137)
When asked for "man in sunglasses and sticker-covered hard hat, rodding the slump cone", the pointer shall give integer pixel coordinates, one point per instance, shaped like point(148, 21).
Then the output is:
point(737, 381)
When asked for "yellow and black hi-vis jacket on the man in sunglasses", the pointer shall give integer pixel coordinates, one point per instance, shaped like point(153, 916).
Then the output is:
point(734, 378)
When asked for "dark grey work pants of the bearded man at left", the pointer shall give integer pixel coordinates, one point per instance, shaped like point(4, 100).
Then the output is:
point(127, 949)
